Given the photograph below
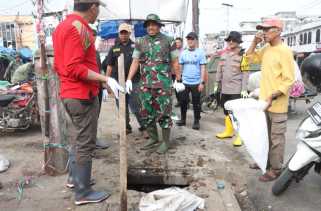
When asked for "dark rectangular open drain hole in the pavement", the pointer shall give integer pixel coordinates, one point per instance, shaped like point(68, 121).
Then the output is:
point(149, 180)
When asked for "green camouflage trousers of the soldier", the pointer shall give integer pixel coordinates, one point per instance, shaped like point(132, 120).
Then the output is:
point(156, 107)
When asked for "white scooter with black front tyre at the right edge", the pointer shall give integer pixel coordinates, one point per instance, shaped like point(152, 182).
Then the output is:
point(308, 153)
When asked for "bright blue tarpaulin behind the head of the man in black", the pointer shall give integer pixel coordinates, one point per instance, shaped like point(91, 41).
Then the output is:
point(109, 29)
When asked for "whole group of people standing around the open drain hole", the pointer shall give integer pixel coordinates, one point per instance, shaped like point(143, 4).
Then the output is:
point(154, 65)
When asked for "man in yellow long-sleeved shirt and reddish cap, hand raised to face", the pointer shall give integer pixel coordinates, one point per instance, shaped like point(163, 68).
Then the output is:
point(277, 77)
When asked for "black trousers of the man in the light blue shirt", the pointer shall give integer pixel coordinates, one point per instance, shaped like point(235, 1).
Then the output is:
point(196, 100)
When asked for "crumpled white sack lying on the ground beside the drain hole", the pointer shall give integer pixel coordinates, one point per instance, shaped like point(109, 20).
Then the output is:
point(171, 199)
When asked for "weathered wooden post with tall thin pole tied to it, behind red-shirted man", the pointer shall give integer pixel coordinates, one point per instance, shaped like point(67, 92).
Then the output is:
point(55, 154)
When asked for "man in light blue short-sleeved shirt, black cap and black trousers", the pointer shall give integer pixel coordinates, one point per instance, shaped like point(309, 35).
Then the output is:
point(193, 66)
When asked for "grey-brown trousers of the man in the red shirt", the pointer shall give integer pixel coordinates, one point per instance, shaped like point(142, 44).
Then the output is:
point(82, 127)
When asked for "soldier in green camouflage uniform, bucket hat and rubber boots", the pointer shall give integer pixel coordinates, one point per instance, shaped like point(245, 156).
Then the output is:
point(156, 53)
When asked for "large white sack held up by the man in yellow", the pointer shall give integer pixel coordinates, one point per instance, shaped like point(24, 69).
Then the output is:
point(249, 120)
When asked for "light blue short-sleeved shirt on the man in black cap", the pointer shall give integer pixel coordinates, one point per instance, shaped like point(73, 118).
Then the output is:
point(192, 61)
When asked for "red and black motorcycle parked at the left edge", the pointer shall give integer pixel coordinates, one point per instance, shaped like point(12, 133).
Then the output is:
point(18, 108)
